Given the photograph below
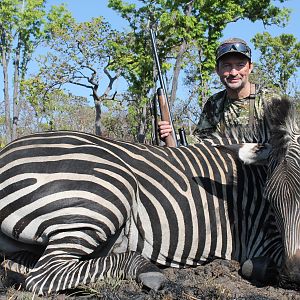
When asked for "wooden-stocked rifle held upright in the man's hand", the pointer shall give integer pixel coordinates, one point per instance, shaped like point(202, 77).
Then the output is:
point(171, 140)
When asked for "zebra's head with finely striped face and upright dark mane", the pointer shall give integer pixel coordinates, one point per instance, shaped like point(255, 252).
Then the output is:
point(282, 188)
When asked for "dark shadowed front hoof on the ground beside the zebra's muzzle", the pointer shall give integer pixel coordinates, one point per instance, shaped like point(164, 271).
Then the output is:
point(260, 269)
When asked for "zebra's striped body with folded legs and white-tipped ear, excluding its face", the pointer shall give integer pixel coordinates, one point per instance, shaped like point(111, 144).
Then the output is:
point(76, 207)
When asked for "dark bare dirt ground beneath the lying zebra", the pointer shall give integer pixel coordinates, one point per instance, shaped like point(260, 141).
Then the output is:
point(217, 280)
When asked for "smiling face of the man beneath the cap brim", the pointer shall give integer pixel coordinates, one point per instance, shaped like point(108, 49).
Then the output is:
point(234, 70)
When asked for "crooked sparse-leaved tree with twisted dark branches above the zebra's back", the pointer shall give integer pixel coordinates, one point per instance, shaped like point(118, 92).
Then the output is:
point(81, 54)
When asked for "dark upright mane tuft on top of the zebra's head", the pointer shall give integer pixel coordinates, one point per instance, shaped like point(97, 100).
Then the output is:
point(281, 116)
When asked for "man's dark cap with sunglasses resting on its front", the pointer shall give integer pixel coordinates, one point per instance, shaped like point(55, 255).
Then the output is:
point(233, 45)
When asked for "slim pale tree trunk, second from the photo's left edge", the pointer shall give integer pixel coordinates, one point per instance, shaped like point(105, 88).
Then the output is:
point(16, 90)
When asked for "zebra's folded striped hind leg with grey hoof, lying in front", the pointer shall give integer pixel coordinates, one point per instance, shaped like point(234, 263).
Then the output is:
point(62, 266)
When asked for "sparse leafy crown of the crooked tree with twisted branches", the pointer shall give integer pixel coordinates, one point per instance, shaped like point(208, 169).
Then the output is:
point(79, 46)
